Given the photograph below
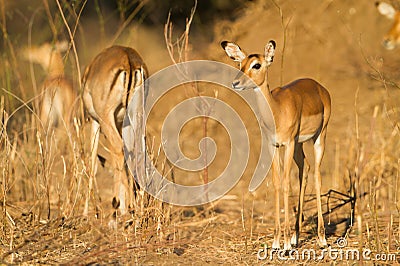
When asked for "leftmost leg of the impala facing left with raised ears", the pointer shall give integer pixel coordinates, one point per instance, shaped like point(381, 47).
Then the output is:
point(277, 181)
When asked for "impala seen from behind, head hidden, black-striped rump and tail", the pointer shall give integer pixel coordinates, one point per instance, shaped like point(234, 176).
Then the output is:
point(108, 85)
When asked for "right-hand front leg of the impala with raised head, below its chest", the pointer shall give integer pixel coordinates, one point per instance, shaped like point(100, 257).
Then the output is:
point(286, 179)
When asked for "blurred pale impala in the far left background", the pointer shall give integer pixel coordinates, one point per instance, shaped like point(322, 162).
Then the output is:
point(57, 101)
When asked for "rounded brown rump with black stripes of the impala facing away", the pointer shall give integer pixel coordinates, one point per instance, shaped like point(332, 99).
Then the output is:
point(110, 79)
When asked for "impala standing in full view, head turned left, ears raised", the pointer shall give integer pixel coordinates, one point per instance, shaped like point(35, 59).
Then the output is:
point(301, 111)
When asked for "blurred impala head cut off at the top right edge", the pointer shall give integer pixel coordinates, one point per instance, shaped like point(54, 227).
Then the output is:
point(392, 38)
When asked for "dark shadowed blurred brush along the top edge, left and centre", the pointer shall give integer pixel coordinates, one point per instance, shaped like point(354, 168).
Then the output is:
point(18, 15)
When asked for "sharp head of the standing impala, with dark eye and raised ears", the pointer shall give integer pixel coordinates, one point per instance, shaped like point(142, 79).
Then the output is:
point(253, 65)
